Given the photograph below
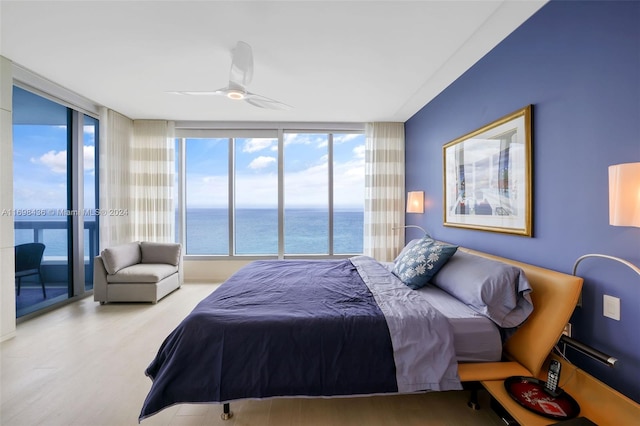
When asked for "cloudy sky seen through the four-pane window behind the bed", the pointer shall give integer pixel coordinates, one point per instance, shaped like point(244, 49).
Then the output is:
point(305, 167)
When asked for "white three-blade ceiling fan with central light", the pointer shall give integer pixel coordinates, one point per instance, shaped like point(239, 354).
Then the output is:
point(239, 78)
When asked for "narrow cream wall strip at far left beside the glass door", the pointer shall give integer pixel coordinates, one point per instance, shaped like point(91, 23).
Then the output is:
point(7, 286)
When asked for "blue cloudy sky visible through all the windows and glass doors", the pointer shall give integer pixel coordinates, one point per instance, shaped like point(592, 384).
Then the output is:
point(40, 170)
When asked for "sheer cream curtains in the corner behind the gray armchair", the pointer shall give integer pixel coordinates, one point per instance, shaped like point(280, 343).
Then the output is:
point(136, 180)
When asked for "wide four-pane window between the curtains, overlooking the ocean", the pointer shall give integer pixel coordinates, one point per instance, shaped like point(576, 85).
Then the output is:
point(272, 193)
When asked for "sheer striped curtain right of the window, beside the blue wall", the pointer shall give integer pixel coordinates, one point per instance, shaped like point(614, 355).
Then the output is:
point(384, 190)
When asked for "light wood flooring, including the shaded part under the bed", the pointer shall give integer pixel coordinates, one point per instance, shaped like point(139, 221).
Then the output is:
point(83, 364)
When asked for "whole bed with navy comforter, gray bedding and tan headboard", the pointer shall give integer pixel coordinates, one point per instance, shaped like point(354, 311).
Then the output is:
point(354, 327)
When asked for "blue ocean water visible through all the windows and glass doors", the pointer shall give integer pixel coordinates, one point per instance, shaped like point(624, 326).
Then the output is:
point(305, 230)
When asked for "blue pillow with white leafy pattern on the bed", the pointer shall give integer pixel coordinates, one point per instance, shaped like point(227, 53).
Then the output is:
point(420, 262)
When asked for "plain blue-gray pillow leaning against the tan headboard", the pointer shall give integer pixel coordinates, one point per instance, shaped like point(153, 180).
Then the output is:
point(494, 289)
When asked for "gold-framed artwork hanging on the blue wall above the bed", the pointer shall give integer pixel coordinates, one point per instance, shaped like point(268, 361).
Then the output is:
point(487, 177)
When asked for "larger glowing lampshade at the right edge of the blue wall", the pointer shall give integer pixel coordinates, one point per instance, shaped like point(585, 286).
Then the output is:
point(624, 194)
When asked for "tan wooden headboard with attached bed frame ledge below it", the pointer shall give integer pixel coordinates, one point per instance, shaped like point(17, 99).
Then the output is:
point(554, 297)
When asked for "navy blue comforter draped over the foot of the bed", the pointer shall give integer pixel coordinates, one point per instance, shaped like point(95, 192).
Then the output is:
point(277, 328)
